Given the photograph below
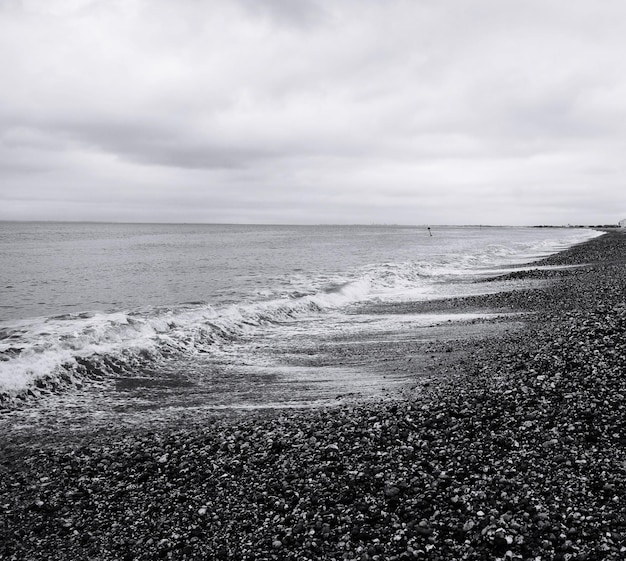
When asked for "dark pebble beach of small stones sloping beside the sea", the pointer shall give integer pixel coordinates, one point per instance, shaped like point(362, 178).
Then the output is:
point(520, 455)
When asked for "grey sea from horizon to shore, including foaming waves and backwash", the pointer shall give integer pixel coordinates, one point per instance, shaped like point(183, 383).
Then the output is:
point(142, 309)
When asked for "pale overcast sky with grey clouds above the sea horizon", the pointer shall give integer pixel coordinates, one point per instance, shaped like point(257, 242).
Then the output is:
point(313, 111)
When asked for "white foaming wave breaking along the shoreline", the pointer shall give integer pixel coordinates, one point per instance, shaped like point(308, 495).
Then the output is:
point(43, 355)
